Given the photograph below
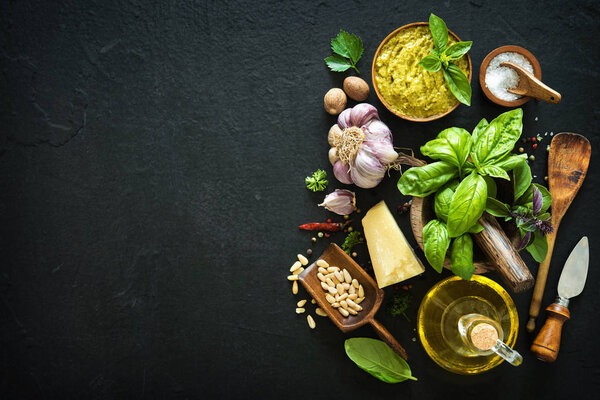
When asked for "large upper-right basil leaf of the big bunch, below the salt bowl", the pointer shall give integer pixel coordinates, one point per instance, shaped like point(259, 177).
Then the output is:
point(499, 137)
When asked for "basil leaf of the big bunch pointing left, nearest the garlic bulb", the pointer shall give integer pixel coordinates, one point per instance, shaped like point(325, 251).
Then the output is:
point(422, 181)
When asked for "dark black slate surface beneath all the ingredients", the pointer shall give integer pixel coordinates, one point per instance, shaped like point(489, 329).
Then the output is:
point(152, 165)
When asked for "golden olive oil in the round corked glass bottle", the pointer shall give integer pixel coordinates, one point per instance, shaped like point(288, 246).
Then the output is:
point(440, 315)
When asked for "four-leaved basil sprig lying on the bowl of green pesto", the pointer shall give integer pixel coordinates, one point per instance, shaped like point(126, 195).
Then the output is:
point(441, 57)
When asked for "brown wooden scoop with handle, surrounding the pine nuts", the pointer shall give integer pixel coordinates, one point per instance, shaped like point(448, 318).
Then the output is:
point(336, 257)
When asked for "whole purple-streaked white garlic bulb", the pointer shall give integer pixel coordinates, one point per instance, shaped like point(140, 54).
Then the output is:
point(364, 146)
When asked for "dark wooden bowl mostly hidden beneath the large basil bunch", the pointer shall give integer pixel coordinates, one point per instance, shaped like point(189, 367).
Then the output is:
point(421, 212)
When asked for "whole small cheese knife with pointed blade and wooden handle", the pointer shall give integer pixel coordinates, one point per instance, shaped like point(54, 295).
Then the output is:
point(572, 280)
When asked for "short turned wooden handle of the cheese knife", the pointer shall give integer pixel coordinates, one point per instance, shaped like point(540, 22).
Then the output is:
point(547, 343)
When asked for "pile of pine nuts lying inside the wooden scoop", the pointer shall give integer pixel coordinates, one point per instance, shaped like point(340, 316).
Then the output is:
point(343, 292)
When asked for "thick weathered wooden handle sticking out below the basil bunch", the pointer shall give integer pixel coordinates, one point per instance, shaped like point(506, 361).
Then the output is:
point(509, 264)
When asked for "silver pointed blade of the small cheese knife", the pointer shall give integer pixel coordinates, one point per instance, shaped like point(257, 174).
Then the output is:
point(572, 279)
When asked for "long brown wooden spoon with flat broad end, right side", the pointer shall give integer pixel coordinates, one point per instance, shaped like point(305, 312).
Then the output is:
point(567, 166)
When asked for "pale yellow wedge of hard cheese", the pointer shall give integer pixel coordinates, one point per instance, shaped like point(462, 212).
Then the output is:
point(392, 258)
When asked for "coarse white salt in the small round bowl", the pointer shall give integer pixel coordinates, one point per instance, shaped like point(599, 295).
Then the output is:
point(499, 79)
